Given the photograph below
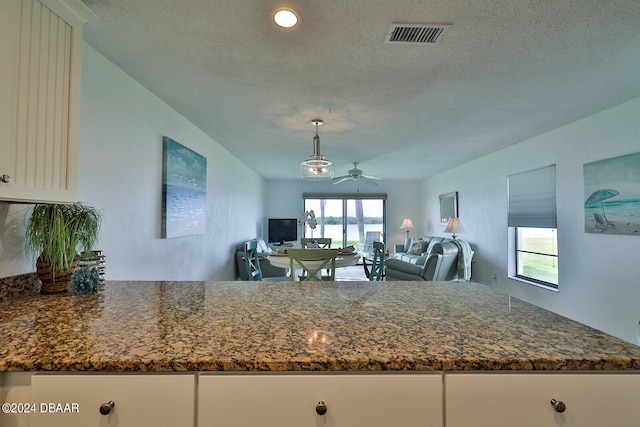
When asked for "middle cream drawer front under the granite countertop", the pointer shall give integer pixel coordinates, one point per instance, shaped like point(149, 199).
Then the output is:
point(292, 400)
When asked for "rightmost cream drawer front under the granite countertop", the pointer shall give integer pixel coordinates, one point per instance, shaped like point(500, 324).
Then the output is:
point(523, 400)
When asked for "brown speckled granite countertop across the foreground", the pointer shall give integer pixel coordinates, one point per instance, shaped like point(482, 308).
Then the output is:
point(284, 326)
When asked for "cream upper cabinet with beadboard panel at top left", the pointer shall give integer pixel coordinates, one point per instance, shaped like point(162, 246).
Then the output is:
point(40, 77)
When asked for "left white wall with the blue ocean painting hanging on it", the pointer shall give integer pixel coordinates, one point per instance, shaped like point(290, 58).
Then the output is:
point(121, 130)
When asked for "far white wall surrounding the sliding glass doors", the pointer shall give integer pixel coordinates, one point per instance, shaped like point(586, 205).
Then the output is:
point(284, 200)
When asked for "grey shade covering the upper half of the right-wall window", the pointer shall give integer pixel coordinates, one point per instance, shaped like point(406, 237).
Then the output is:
point(532, 198)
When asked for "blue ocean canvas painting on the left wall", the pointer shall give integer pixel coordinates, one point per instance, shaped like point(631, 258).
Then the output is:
point(184, 191)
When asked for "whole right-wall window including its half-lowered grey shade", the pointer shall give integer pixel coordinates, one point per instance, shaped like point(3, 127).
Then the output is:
point(532, 219)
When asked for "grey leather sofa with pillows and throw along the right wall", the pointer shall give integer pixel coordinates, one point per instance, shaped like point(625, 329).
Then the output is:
point(430, 258)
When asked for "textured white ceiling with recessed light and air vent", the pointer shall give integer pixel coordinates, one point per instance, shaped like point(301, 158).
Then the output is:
point(504, 71)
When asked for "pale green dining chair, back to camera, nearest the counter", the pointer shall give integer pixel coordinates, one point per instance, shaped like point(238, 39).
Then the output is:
point(312, 262)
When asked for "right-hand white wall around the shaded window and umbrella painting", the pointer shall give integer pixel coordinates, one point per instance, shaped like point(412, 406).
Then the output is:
point(598, 277)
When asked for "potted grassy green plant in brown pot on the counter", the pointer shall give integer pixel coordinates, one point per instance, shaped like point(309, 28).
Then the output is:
point(55, 234)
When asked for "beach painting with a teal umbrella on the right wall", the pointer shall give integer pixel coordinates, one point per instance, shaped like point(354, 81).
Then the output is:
point(612, 195)
